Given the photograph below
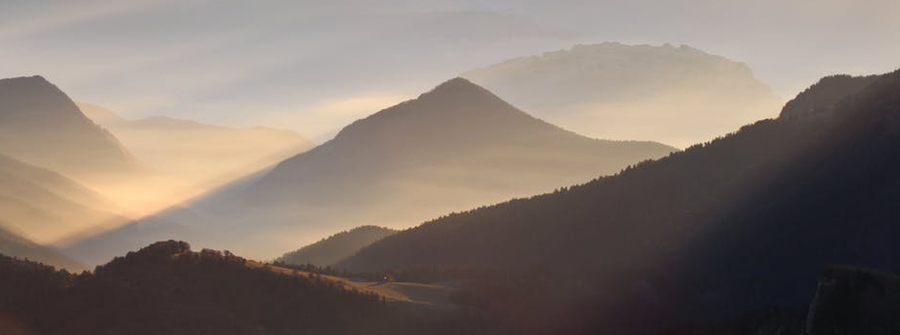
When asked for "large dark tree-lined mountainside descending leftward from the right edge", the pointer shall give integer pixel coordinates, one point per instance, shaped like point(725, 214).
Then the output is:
point(740, 223)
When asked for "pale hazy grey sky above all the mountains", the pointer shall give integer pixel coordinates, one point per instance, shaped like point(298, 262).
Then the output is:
point(315, 66)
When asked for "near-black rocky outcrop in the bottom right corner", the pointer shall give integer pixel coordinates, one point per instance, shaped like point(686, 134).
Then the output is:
point(855, 301)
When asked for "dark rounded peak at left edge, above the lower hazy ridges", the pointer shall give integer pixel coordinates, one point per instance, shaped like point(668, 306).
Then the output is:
point(40, 125)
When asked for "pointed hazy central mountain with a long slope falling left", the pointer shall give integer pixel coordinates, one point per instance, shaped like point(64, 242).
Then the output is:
point(453, 148)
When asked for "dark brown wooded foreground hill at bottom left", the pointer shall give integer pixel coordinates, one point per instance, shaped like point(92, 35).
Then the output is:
point(166, 288)
